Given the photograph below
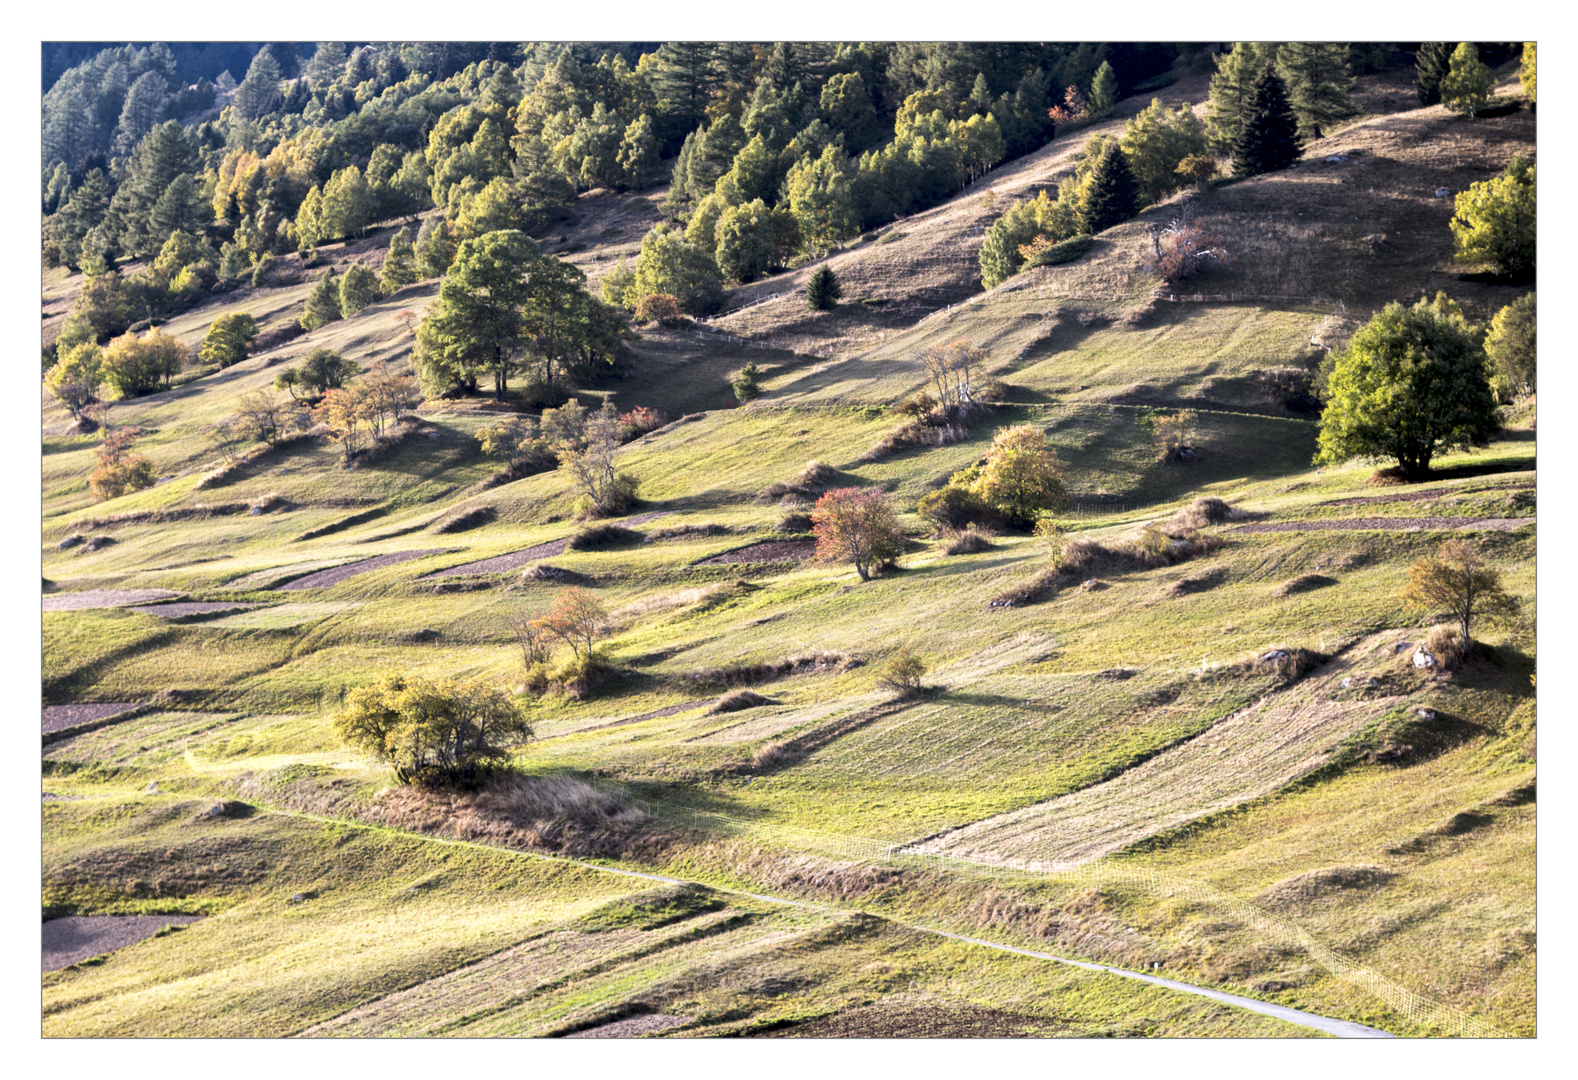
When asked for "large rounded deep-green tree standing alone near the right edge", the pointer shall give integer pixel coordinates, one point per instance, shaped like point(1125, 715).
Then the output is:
point(1412, 384)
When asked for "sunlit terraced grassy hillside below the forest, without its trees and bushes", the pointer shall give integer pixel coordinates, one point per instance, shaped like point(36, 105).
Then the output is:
point(1124, 722)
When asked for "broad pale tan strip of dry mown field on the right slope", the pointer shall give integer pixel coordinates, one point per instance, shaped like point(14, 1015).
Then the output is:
point(1247, 756)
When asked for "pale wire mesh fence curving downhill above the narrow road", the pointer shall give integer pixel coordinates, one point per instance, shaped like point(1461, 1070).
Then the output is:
point(1099, 874)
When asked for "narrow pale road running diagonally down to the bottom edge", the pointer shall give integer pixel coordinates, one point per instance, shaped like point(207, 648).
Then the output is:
point(1329, 1026)
